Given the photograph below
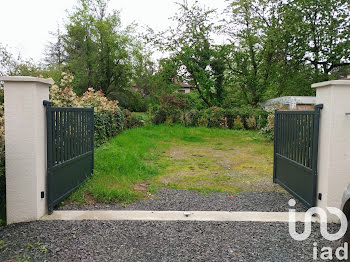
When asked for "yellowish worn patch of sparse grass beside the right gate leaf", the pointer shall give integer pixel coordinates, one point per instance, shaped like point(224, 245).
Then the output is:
point(234, 169)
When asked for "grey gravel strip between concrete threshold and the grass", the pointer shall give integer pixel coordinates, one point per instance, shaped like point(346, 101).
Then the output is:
point(174, 199)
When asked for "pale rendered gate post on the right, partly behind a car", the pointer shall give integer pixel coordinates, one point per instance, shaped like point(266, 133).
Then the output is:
point(334, 142)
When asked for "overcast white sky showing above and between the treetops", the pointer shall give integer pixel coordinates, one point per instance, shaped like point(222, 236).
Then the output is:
point(25, 24)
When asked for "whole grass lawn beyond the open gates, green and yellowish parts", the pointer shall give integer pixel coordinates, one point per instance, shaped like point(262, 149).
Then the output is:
point(140, 160)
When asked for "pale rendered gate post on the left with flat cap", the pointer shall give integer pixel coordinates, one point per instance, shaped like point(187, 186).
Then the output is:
point(25, 147)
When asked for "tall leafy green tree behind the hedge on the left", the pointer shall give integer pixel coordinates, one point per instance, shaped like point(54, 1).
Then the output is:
point(97, 49)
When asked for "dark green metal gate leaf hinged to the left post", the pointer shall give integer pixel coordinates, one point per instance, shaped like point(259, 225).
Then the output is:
point(70, 150)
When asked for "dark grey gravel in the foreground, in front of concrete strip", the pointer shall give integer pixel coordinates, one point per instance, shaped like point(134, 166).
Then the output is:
point(155, 241)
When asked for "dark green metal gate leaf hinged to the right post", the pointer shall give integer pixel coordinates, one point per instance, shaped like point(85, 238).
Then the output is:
point(295, 153)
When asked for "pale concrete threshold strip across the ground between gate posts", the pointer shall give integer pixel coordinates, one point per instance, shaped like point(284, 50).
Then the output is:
point(219, 216)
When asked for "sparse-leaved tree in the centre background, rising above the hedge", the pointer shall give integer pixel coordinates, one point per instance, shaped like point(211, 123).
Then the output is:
point(200, 61)
